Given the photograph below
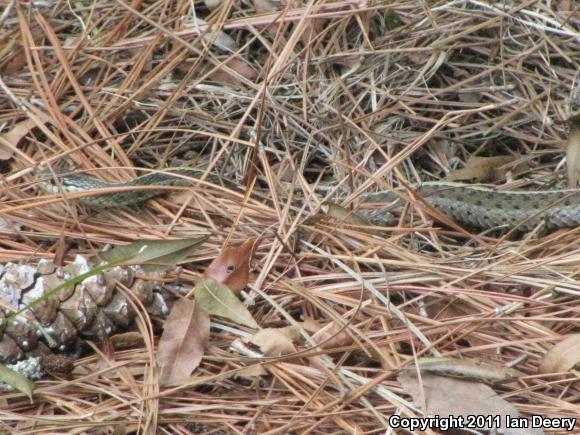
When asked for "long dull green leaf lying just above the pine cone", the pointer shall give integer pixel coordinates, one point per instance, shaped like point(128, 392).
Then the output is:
point(155, 255)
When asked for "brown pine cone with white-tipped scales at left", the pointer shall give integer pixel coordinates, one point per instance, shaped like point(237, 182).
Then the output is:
point(89, 309)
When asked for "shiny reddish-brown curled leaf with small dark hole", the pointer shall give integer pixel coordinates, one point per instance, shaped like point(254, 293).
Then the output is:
point(232, 266)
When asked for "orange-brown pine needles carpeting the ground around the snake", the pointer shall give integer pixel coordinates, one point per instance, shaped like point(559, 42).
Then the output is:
point(374, 97)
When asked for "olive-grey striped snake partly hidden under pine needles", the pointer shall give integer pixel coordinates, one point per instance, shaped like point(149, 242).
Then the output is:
point(470, 205)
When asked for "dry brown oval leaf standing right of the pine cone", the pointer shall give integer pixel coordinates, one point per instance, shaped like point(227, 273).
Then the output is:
point(183, 342)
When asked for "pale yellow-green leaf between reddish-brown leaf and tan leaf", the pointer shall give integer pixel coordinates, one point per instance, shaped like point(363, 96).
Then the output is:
point(219, 300)
